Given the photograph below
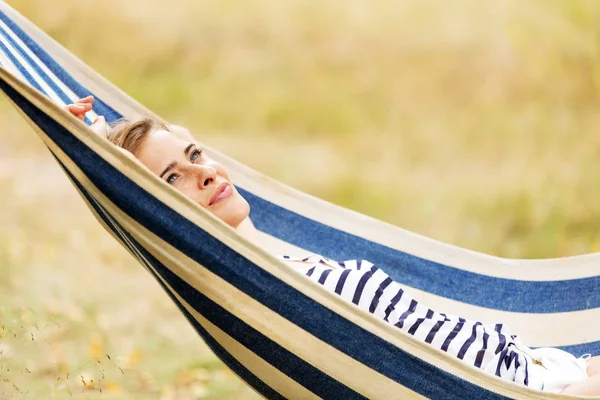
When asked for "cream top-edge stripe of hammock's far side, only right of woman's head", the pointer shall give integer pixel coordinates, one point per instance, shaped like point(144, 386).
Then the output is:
point(403, 240)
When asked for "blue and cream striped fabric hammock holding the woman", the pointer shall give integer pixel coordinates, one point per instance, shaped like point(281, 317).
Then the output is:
point(284, 335)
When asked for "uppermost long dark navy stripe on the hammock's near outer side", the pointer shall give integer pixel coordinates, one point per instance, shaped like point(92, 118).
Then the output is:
point(382, 356)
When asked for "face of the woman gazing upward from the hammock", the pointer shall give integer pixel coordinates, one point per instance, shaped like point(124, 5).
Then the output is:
point(184, 165)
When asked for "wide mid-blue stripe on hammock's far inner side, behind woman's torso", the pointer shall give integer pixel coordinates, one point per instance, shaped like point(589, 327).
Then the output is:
point(442, 280)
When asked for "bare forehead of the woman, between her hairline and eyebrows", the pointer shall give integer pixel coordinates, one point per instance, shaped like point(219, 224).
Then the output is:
point(161, 148)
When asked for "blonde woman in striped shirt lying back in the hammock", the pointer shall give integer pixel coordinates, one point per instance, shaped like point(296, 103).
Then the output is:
point(172, 154)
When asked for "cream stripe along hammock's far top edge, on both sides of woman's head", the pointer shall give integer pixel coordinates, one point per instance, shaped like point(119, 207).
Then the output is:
point(332, 215)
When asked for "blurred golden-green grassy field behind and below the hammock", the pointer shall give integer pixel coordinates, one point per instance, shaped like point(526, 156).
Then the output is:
point(472, 122)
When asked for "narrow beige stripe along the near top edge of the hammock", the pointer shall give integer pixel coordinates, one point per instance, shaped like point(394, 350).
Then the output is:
point(226, 235)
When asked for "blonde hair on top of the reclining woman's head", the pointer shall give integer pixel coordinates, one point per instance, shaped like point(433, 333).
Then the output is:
point(130, 135)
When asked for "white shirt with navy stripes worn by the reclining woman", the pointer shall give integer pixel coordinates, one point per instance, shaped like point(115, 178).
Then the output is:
point(489, 347)
